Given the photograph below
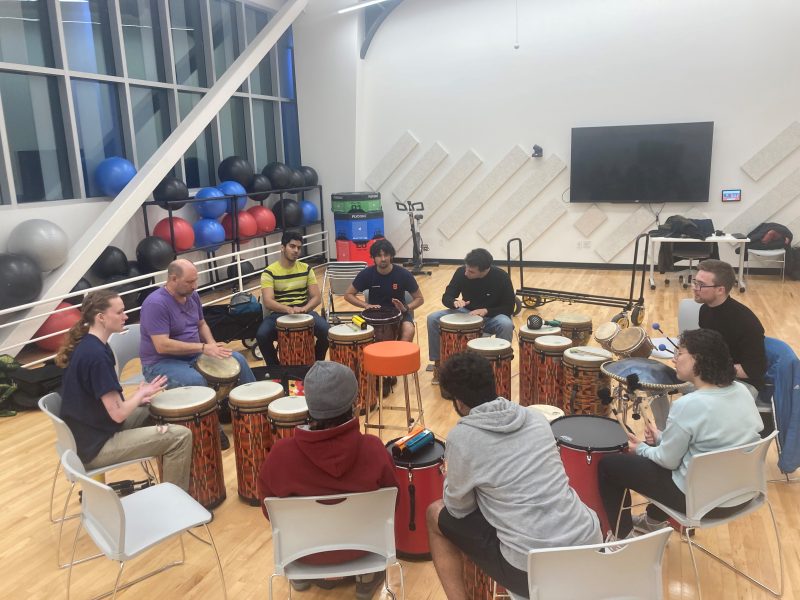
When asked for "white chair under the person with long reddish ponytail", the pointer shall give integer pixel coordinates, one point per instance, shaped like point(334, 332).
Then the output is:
point(51, 406)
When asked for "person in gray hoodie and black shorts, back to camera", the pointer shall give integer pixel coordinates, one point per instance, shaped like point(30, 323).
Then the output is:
point(505, 491)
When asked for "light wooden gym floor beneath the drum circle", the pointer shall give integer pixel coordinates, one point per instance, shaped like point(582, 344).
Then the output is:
point(27, 460)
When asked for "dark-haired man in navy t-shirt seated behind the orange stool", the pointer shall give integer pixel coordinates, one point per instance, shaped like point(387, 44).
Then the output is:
point(387, 284)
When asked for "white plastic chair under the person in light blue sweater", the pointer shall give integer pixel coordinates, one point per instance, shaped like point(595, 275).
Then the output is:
point(722, 476)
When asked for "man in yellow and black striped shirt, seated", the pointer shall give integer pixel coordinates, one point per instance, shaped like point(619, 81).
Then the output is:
point(289, 286)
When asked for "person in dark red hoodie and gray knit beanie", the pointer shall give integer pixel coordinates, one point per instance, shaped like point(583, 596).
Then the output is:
point(330, 455)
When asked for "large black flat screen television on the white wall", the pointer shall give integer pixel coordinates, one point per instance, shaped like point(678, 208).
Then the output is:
point(641, 163)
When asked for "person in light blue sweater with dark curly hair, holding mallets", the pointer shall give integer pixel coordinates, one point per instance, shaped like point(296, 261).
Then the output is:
point(719, 414)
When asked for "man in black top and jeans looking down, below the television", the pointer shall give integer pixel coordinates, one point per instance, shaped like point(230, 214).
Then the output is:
point(485, 291)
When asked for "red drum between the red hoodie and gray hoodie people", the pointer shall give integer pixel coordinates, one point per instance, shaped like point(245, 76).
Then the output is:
point(421, 479)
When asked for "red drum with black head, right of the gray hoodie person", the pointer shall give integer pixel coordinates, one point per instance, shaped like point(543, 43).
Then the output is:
point(583, 441)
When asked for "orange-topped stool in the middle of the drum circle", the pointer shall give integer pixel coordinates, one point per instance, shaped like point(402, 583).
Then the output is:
point(392, 359)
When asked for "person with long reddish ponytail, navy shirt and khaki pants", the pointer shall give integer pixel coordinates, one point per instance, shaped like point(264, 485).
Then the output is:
point(108, 427)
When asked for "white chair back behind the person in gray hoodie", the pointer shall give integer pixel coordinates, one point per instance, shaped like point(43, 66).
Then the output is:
point(625, 569)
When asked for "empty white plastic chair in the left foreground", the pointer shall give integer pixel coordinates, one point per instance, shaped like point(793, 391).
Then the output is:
point(123, 528)
